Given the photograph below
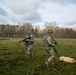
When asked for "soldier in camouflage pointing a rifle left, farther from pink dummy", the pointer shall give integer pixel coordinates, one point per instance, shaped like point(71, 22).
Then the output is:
point(29, 41)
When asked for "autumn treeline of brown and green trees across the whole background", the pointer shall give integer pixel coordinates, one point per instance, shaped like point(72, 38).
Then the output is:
point(21, 30)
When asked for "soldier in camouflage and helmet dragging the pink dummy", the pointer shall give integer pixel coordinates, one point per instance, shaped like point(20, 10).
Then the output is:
point(49, 44)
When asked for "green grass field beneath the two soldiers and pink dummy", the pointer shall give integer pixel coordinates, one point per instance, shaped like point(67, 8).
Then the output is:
point(14, 62)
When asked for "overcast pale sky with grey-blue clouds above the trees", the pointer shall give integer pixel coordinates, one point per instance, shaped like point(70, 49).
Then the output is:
point(38, 11)
